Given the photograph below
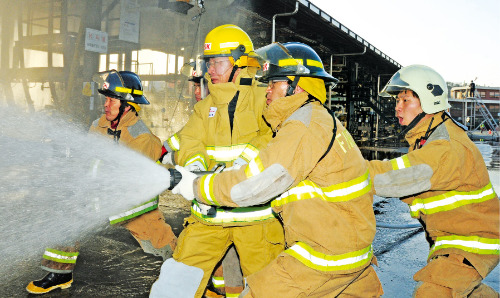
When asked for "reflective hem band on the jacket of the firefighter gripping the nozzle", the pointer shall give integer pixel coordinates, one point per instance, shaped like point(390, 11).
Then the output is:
point(323, 262)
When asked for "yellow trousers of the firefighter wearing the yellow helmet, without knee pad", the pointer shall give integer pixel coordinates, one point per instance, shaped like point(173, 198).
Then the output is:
point(203, 246)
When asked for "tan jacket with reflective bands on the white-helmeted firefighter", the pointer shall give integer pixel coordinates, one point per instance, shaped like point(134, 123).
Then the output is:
point(447, 187)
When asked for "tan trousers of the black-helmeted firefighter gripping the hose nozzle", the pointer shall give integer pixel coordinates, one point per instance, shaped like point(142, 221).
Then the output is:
point(288, 277)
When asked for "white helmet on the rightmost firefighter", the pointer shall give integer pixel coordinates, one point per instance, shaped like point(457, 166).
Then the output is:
point(423, 80)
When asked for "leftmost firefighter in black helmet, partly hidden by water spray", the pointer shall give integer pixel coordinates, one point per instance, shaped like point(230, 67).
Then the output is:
point(123, 91)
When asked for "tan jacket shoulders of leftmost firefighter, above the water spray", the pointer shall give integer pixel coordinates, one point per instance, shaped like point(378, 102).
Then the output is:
point(133, 133)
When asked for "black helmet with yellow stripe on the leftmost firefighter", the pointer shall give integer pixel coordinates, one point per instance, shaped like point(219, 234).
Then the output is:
point(122, 85)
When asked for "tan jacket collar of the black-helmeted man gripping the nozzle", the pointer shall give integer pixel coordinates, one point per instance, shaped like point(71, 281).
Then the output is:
point(280, 109)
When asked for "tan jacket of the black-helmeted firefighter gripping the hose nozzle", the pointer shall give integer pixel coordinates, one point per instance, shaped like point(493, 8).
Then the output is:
point(325, 206)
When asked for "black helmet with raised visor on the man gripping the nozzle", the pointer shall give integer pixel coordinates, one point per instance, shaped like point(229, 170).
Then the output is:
point(291, 59)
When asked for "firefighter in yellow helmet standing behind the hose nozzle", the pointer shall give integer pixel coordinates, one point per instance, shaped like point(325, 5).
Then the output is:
point(226, 127)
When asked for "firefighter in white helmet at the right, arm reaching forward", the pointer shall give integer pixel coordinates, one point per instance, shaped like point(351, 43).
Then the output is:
point(444, 181)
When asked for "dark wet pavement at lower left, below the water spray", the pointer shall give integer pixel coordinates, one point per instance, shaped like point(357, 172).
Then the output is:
point(111, 262)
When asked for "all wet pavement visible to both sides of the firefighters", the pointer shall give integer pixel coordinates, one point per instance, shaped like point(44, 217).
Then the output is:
point(111, 263)
